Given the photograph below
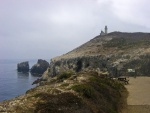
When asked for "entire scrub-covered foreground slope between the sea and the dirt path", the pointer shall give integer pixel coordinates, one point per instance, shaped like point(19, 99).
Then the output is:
point(87, 93)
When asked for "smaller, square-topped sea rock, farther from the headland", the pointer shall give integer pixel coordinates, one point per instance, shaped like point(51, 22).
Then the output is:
point(23, 67)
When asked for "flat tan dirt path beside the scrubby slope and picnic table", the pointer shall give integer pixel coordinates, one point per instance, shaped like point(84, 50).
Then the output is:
point(139, 95)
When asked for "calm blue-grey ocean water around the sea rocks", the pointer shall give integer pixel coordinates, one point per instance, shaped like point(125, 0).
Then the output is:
point(12, 83)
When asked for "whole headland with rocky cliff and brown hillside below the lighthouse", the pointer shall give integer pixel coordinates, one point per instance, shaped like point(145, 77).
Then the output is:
point(114, 53)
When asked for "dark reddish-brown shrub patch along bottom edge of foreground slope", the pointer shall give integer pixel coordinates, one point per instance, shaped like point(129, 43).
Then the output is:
point(61, 103)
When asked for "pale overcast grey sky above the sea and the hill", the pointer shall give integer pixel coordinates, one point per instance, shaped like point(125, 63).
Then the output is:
point(48, 28)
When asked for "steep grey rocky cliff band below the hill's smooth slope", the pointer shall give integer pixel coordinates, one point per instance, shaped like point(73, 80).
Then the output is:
point(99, 63)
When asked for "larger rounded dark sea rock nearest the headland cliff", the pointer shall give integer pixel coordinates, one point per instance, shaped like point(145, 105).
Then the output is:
point(40, 67)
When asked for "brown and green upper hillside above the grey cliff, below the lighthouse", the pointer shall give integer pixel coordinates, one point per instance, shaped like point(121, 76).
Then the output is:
point(112, 43)
